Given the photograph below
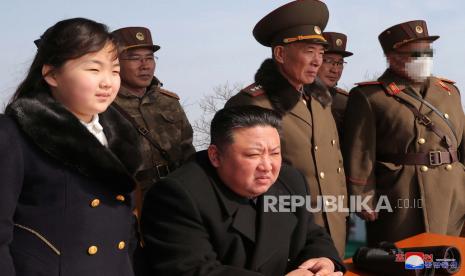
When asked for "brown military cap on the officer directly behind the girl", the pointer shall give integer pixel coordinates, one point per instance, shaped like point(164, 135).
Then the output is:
point(135, 37)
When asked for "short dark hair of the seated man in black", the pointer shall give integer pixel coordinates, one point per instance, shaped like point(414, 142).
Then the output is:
point(247, 116)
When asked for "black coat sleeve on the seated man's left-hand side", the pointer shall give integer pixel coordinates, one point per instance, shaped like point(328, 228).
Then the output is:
point(176, 240)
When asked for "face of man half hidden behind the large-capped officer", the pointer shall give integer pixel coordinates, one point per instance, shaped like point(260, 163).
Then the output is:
point(331, 70)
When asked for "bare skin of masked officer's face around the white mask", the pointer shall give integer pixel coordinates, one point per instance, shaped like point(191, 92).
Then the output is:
point(399, 58)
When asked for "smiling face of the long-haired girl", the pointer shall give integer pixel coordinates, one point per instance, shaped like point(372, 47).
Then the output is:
point(87, 85)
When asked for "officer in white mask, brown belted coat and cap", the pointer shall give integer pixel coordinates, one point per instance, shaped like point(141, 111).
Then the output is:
point(404, 140)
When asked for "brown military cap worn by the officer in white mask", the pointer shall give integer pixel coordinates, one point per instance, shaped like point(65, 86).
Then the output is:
point(400, 34)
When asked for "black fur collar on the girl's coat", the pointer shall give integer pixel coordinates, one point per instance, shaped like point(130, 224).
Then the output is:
point(61, 135)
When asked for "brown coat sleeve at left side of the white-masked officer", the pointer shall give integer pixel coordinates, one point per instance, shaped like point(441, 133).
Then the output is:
point(359, 146)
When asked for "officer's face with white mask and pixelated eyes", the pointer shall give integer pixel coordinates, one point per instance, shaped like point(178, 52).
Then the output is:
point(412, 59)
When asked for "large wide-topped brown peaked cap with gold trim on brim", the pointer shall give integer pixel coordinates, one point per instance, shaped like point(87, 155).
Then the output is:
point(295, 21)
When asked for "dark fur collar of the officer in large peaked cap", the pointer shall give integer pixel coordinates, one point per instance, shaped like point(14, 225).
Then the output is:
point(281, 94)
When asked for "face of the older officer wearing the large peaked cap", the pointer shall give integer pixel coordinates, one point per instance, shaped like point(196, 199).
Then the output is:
point(299, 62)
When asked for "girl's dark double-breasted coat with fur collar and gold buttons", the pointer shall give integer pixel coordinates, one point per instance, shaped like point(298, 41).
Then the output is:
point(65, 199)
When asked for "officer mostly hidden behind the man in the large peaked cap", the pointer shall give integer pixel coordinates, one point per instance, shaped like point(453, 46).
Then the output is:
point(330, 73)
